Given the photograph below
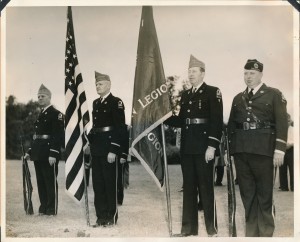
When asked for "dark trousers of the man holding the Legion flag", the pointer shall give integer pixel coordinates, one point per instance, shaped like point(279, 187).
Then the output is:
point(197, 174)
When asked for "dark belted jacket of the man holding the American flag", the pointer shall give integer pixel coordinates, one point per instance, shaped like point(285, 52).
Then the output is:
point(109, 113)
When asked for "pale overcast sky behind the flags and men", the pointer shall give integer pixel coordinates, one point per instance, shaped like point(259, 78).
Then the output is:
point(223, 37)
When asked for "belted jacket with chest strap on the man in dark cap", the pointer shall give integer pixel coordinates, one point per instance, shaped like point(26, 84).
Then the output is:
point(269, 106)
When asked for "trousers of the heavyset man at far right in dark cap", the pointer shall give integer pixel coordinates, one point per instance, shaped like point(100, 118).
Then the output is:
point(255, 175)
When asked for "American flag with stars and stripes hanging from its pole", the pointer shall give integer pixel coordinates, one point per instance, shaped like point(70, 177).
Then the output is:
point(76, 117)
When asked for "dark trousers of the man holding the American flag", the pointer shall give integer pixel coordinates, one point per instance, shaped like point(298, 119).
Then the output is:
point(104, 177)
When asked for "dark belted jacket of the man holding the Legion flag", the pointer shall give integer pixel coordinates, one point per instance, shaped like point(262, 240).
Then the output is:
point(205, 103)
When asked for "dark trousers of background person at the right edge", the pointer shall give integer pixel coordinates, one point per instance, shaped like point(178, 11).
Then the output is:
point(287, 164)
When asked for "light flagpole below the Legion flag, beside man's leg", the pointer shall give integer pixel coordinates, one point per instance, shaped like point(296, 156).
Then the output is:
point(167, 180)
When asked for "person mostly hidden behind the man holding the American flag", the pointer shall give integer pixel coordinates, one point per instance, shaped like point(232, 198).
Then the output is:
point(122, 165)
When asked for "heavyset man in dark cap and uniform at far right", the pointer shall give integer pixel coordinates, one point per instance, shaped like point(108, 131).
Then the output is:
point(258, 134)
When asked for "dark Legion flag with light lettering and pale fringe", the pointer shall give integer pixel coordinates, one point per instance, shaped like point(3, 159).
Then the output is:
point(151, 105)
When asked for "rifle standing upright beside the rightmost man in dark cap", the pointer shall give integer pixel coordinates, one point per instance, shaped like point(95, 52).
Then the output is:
point(231, 191)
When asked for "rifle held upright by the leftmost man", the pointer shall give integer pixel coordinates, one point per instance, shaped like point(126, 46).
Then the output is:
point(27, 185)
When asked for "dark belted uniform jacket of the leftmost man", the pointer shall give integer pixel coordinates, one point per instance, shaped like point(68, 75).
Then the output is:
point(50, 122)
